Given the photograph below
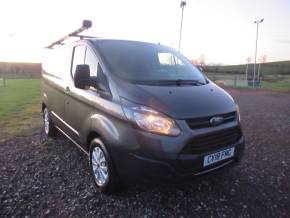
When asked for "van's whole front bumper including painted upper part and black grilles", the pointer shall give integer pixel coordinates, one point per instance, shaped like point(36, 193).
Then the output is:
point(141, 155)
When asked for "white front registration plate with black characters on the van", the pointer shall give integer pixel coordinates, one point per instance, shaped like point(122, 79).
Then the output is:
point(218, 156)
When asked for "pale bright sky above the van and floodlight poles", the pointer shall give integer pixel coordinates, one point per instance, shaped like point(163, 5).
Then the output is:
point(222, 30)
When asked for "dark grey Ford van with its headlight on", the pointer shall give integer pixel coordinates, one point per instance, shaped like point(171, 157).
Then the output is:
point(139, 111)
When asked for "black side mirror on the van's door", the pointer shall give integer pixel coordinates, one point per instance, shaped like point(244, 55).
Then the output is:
point(82, 76)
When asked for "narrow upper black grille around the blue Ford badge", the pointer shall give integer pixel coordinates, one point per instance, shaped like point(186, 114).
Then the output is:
point(204, 122)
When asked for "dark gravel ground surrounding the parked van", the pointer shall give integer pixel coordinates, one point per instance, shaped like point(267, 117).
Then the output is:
point(50, 178)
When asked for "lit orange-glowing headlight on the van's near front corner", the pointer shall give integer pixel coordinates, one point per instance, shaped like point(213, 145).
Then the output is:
point(152, 121)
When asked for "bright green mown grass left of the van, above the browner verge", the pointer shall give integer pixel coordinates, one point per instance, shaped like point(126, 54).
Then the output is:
point(17, 94)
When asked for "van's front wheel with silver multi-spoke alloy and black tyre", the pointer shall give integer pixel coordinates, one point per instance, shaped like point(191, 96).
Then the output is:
point(102, 168)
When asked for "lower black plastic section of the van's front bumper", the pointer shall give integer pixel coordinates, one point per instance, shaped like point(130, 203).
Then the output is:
point(172, 168)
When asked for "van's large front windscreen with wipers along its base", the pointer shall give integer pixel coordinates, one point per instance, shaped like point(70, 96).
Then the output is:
point(145, 62)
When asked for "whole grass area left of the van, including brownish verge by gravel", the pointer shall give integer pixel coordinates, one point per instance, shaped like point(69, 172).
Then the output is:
point(19, 106)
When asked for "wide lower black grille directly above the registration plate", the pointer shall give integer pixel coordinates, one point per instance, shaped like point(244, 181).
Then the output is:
point(214, 140)
